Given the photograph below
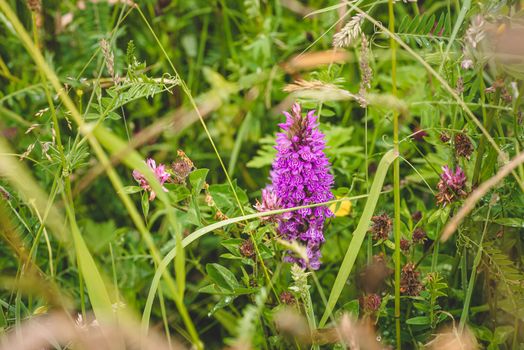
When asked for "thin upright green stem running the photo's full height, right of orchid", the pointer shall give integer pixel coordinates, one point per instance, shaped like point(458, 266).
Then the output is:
point(396, 173)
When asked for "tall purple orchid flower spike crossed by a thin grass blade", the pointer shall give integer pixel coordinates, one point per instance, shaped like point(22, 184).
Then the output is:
point(300, 176)
